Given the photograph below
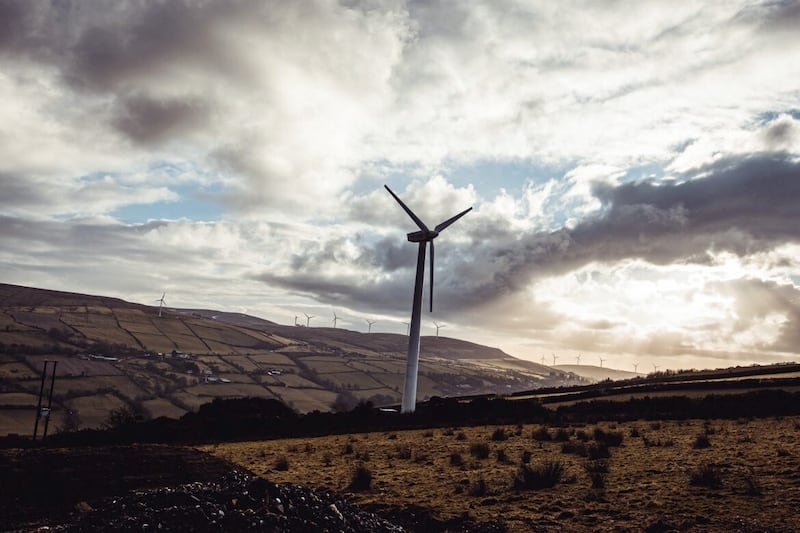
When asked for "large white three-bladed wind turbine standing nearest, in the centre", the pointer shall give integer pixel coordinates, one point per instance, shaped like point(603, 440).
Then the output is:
point(423, 237)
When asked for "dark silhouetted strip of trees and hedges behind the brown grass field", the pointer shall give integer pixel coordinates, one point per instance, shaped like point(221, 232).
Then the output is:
point(258, 418)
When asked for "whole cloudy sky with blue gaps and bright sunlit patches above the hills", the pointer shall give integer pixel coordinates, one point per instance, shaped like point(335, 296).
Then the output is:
point(633, 167)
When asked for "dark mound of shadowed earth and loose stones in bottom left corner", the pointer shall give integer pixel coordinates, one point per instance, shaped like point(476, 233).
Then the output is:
point(167, 488)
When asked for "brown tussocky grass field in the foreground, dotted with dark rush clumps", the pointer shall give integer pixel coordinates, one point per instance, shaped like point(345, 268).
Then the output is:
point(687, 475)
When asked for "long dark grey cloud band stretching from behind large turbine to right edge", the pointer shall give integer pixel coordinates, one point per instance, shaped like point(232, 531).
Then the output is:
point(740, 205)
